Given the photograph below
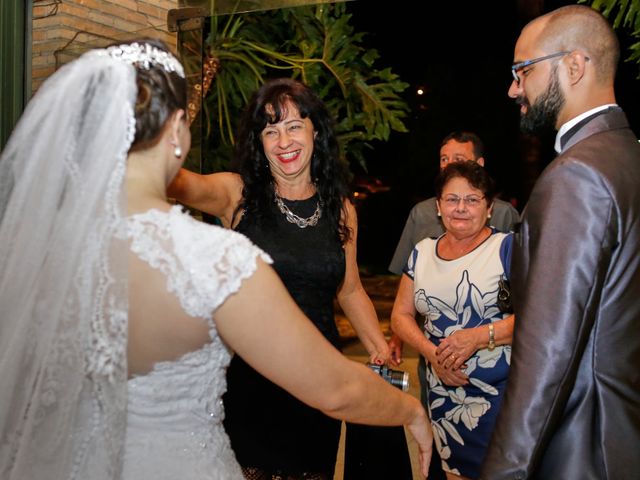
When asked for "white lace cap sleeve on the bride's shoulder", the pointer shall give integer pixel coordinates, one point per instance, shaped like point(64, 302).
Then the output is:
point(204, 264)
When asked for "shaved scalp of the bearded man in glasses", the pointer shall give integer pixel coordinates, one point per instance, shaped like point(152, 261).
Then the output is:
point(577, 27)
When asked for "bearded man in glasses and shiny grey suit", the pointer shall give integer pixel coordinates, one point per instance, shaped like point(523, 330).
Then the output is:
point(572, 404)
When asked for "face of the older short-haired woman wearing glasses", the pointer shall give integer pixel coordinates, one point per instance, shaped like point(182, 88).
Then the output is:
point(466, 216)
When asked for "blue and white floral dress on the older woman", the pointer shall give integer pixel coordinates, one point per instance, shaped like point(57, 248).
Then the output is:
point(451, 295)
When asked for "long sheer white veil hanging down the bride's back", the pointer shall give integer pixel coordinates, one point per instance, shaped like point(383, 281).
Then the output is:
point(63, 296)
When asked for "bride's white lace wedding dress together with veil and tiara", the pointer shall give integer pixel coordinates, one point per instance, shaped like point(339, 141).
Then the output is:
point(67, 409)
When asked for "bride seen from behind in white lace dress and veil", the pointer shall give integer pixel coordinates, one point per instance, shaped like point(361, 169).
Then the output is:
point(120, 312)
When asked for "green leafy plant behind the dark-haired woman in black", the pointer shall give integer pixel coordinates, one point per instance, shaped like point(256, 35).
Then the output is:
point(316, 45)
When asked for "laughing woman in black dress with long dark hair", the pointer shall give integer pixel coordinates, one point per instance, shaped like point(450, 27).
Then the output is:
point(291, 198)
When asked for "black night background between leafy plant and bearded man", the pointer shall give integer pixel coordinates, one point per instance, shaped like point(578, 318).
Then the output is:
point(460, 53)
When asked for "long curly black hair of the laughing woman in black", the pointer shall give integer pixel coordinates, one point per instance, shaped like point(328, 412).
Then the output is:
point(328, 173)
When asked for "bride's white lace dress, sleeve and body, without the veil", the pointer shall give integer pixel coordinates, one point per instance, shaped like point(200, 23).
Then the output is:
point(174, 424)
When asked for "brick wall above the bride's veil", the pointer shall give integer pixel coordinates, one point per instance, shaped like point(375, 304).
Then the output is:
point(63, 29)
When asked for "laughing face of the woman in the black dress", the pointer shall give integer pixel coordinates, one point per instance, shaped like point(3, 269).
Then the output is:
point(288, 144)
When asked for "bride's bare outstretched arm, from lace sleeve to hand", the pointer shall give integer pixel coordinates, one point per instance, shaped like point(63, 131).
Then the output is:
point(264, 325)
